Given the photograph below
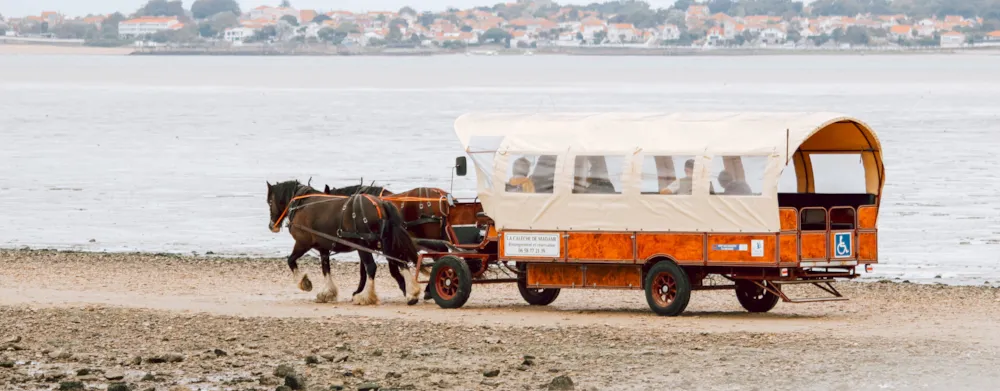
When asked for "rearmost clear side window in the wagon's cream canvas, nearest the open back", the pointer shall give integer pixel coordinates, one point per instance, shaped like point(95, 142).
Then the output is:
point(738, 175)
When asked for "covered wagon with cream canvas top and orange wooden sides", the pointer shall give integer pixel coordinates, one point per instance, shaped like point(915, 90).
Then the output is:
point(659, 202)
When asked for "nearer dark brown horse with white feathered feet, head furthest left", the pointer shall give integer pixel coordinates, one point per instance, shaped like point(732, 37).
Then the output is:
point(360, 219)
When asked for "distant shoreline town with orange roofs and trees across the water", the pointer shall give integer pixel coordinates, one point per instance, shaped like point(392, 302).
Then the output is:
point(529, 25)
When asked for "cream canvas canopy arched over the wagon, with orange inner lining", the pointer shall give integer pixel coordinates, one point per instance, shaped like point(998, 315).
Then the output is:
point(494, 140)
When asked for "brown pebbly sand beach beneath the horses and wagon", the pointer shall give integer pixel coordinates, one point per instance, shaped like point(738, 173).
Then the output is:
point(219, 323)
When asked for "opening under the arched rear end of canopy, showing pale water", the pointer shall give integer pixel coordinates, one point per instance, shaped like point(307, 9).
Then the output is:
point(838, 173)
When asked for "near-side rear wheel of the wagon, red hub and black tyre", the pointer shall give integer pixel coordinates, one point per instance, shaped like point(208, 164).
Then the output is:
point(668, 289)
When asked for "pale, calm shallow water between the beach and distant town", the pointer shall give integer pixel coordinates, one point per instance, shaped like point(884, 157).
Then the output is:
point(171, 153)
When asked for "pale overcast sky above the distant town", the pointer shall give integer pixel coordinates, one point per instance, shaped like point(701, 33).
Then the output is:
point(20, 8)
